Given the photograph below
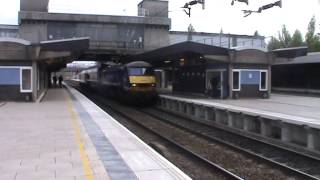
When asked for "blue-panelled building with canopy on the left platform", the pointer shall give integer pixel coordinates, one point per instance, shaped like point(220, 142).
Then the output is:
point(25, 67)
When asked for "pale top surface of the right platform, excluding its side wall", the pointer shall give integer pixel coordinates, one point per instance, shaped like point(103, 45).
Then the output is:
point(296, 109)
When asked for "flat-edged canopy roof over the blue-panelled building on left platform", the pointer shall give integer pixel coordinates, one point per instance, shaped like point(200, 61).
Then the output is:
point(55, 53)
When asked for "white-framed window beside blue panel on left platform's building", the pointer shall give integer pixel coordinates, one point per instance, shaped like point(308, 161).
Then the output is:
point(26, 79)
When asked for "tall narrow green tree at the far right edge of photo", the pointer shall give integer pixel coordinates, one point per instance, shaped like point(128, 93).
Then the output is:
point(312, 40)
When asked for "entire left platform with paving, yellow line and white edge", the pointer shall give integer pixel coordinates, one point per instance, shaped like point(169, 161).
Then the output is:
point(67, 137)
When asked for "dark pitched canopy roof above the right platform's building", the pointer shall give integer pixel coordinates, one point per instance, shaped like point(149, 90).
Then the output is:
point(160, 57)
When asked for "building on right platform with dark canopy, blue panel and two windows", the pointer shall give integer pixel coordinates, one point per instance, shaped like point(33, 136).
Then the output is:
point(219, 72)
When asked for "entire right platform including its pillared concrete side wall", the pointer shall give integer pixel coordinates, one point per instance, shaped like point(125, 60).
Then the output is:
point(287, 120)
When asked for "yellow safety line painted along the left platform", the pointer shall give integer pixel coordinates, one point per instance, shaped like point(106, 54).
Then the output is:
point(80, 142)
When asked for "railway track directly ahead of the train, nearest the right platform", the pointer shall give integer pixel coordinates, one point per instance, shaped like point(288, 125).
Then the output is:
point(290, 161)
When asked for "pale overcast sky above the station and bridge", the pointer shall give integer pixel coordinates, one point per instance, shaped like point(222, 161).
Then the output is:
point(295, 14)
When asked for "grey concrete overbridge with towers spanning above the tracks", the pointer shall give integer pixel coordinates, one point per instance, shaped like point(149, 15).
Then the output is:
point(109, 35)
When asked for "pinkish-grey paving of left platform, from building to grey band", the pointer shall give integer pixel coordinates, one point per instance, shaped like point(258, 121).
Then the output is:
point(39, 142)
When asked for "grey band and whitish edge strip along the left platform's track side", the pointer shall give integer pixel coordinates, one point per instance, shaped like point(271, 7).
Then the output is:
point(122, 150)
